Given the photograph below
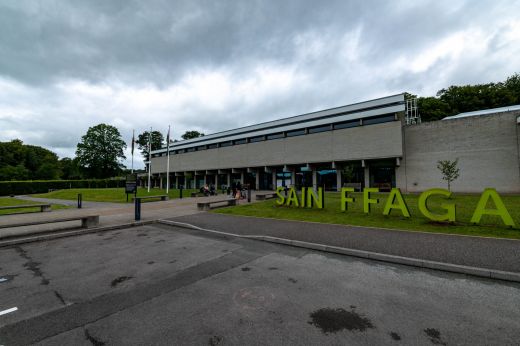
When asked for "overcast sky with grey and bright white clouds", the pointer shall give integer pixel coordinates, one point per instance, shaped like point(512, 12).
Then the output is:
point(216, 65)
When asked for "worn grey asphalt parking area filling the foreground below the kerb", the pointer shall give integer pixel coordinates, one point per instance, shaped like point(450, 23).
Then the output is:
point(167, 286)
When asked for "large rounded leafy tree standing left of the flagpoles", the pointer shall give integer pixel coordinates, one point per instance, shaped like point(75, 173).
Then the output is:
point(100, 151)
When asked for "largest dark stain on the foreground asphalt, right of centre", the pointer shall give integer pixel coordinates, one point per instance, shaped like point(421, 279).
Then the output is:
point(334, 320)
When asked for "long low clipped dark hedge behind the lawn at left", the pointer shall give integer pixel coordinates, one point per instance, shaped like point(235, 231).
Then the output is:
point(41, 186)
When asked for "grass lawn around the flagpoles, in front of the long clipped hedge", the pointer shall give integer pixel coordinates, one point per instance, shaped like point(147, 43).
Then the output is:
point(116, 195)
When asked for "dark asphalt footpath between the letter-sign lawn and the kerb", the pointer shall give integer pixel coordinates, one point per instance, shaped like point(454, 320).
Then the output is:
point(498, 254)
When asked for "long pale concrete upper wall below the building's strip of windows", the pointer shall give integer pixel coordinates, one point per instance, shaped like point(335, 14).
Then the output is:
point(364, 142)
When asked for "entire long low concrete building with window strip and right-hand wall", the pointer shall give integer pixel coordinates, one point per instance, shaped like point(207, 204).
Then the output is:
point(377, 143)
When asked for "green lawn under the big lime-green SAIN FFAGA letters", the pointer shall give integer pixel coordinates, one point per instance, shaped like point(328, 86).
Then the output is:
point(491, 226)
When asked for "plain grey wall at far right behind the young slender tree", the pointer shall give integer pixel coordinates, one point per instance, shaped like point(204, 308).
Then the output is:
point(487, 148)
